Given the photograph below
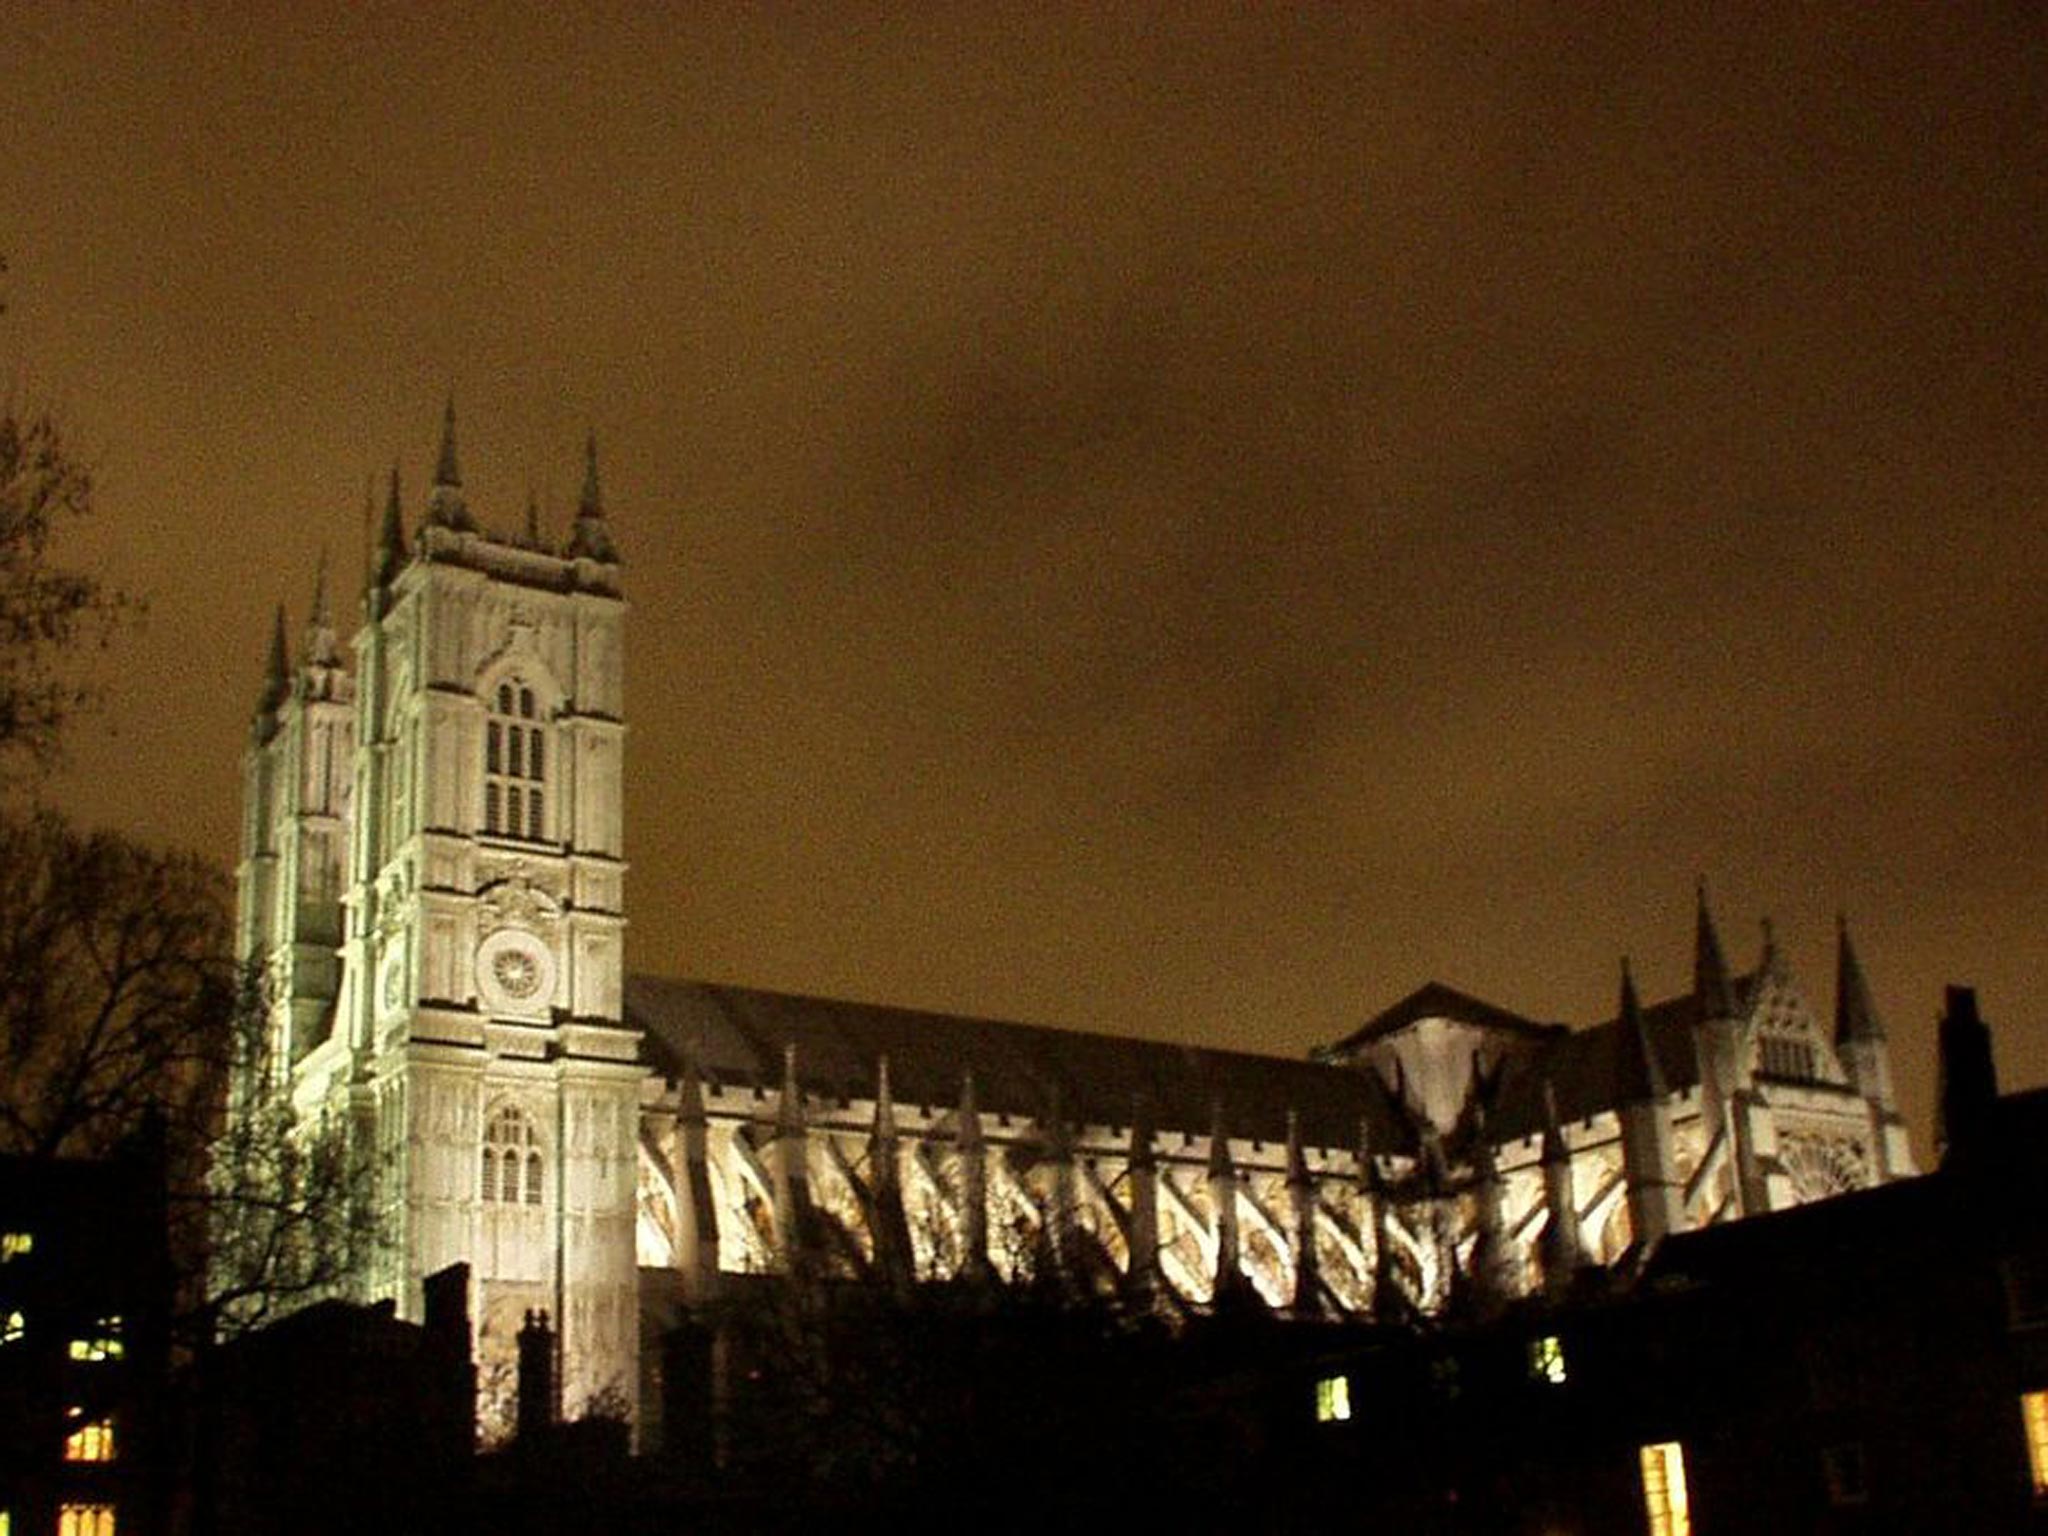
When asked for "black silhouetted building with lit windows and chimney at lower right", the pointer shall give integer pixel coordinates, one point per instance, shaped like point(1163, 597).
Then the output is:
point(1877, 1363)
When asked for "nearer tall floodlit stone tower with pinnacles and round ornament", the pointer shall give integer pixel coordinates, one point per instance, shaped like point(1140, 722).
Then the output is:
point(472, 1015)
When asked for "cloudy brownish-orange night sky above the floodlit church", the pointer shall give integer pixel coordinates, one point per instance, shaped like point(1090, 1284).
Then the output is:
point(1179, 521)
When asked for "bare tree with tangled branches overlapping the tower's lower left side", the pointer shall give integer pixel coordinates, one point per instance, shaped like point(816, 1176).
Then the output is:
point(124, 1015)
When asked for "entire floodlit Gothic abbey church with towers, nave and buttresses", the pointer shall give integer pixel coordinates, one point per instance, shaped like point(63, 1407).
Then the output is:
point(435, 884)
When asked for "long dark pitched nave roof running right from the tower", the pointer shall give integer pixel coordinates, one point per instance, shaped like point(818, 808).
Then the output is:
point(736, 1039)
